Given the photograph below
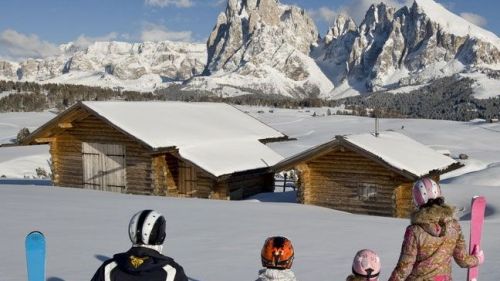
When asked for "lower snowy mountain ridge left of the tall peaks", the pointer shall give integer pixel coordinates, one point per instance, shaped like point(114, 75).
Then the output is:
point(138, 66)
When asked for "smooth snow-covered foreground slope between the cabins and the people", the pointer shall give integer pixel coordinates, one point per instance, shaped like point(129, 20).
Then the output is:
point(85, 227)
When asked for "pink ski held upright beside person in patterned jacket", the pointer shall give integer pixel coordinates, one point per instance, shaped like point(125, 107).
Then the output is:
point(478, 206)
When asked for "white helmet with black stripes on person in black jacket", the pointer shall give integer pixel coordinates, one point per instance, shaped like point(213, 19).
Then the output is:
point(147, 227)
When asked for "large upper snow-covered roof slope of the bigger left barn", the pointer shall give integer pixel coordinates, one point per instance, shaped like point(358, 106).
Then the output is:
point(182, 124)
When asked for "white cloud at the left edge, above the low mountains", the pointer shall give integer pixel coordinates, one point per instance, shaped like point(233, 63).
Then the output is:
point(18, 46)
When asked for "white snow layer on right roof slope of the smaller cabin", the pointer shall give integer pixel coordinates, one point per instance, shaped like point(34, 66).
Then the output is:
point(402, 152)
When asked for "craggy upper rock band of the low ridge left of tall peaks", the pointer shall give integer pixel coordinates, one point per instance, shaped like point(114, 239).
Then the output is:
point(171, 61)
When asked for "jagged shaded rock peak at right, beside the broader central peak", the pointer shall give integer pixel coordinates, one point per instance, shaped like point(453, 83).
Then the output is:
point(394, 48)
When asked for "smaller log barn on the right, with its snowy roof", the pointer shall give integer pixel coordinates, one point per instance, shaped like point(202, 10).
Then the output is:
point(365, 173)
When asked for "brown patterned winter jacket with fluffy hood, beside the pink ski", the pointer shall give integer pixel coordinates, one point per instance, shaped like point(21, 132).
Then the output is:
point(430, 242)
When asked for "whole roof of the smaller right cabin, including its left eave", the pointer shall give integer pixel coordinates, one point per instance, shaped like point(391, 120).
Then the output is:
point(397, 151)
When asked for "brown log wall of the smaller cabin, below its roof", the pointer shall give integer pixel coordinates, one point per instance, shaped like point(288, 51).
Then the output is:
point(345, 180)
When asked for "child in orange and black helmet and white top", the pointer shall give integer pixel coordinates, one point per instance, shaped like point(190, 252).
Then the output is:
point(277, 258)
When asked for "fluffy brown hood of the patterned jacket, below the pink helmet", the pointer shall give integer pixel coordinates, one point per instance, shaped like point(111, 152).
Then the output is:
point(434, 219)
